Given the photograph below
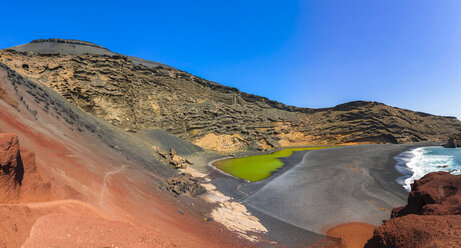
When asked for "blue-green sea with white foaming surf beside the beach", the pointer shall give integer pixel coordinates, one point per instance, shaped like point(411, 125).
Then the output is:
point(418, 162)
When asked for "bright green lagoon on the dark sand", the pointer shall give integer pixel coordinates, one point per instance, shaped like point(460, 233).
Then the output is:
point(259, 167)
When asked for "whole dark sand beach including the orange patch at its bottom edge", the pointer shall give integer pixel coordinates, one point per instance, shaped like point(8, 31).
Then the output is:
point(322, 190)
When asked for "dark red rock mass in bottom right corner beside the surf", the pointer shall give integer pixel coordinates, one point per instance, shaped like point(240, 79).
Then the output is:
point(432, 217)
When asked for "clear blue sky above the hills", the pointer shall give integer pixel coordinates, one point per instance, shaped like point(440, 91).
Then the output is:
point(305, 53)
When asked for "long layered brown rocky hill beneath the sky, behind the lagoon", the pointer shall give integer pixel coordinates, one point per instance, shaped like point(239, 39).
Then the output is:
point(144, 96)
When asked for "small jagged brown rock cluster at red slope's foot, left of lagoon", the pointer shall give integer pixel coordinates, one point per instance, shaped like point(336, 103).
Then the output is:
point(184, 184)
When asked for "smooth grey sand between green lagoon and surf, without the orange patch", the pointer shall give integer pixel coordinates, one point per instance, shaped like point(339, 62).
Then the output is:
point(335, 186)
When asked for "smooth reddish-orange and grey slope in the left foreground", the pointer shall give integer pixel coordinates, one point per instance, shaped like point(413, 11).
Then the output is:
point(70, 179)
